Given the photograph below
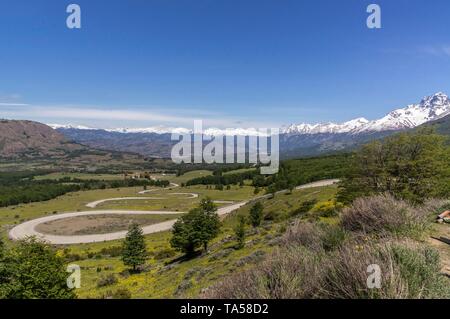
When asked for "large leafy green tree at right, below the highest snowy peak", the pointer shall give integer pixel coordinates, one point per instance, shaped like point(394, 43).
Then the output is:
point(411, 166)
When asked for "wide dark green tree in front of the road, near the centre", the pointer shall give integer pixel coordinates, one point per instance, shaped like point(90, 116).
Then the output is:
point(196, 228)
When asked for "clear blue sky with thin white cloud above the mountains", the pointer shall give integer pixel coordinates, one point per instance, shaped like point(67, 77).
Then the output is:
point(229, 62)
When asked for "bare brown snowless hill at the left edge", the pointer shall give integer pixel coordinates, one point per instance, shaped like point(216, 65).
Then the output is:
point(28, 144)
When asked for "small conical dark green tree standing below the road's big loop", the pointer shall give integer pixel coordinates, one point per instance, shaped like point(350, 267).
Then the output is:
point(134, 250)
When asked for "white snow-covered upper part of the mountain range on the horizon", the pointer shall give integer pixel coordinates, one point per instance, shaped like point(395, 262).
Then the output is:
point(430, 108)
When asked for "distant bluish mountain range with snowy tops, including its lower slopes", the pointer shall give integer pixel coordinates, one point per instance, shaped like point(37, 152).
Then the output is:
point(295, 139)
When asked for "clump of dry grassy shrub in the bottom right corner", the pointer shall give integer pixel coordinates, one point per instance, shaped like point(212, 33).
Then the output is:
point(407, 271)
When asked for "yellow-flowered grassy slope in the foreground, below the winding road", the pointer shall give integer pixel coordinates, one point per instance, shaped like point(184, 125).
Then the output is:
point(164, 276)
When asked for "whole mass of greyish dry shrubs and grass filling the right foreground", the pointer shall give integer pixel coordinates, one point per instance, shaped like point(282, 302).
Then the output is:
point(332, 261)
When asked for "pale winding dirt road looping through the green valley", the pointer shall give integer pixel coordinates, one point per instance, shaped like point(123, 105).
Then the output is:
point(29, 228)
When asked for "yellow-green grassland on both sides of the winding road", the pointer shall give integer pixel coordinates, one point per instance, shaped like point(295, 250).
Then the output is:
point(161, 280)
